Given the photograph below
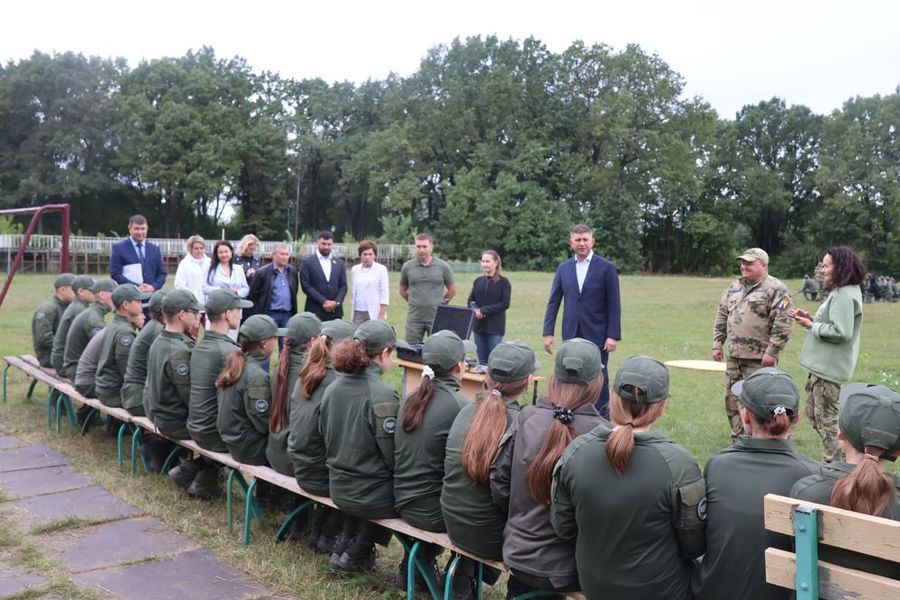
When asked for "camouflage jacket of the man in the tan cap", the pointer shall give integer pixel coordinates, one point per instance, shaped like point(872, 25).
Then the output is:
point(754, 321)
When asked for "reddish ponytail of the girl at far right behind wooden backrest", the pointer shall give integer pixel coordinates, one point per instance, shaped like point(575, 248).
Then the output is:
point(867, 489)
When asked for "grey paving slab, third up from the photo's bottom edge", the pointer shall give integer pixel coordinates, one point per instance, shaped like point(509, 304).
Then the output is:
point(92, 502)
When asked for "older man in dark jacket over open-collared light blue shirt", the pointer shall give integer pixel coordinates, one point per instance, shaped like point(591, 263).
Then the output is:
point(274, 288)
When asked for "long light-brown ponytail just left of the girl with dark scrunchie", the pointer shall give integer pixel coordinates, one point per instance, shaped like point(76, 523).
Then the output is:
point(488, 424)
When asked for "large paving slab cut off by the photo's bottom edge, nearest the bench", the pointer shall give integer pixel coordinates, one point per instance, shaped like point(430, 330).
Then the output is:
point(196, 575)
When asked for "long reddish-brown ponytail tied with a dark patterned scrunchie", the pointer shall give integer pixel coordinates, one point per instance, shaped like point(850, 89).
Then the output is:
point(566, 398)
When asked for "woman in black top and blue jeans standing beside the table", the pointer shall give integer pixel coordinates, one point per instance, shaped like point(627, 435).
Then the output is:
point(490, 298)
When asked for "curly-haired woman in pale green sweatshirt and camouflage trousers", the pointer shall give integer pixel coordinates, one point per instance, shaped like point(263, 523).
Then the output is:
point(831, 346)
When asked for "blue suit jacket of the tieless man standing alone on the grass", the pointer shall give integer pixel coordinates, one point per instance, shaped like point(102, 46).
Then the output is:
point(594, 313)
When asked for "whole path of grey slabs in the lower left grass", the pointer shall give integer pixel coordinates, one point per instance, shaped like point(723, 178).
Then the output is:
point(128, 555)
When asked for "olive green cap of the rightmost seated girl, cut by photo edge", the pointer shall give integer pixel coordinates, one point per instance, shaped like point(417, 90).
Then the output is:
point(870, 416)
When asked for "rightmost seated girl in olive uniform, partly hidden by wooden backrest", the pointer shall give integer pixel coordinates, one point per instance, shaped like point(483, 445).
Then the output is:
point(869, 436)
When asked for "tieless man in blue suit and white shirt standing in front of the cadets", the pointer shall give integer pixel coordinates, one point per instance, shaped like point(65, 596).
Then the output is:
point(589, 284)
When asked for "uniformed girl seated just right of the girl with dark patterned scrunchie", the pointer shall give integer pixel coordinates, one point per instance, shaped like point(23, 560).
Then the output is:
point(631, 500)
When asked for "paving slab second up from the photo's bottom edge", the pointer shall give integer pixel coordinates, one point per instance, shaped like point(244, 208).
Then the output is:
point(110, 544)
